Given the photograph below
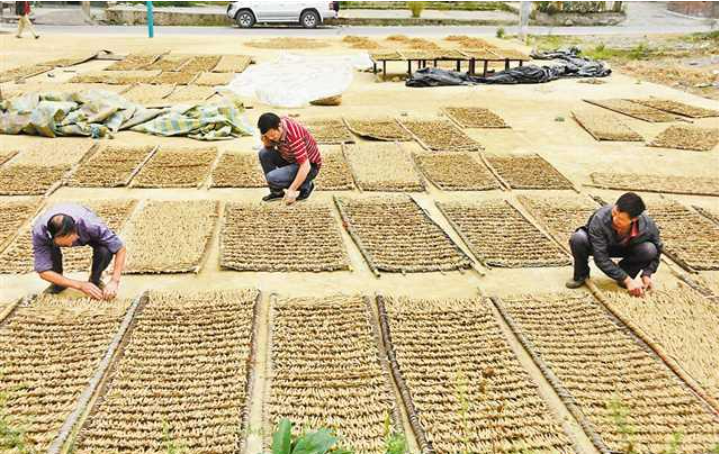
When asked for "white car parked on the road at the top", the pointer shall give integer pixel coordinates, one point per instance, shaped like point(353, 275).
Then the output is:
point(307, 14)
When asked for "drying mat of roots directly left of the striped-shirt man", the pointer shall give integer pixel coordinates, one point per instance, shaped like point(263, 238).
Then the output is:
point(239, 170)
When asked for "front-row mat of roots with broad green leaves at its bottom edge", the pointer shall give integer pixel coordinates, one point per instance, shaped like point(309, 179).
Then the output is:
point(326, 370)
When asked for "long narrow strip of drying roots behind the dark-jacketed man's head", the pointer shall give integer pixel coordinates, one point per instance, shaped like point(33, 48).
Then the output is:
point(674, 184)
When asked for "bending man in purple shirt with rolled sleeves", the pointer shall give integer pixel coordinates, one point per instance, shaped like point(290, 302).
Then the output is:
point(73, 225)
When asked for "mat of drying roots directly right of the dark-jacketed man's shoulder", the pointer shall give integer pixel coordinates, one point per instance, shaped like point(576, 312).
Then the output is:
point(690, 239)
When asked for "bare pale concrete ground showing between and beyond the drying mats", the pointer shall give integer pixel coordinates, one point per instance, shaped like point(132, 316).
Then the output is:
point(531, 110)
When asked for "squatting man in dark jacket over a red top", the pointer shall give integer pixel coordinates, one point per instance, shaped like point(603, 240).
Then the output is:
point(619, 230)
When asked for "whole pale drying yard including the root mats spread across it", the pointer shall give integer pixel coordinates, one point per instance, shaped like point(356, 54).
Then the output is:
point(420, 291)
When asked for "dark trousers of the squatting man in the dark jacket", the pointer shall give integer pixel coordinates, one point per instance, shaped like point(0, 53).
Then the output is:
point(634, 258)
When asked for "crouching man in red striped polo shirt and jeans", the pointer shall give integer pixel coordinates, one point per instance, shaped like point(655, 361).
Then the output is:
point(290, 158)
